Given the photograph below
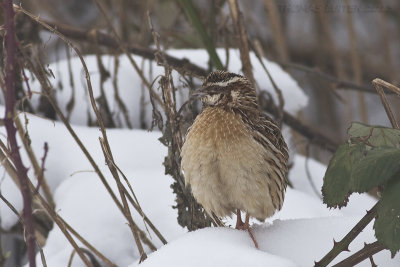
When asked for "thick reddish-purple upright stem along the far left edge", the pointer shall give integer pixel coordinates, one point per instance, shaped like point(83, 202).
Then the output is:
point(10, 102)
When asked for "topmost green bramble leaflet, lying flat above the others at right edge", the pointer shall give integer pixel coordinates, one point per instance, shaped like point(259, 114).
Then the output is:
point(374, 135)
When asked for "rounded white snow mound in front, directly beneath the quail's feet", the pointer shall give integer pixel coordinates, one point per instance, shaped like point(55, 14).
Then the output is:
point(213, 247)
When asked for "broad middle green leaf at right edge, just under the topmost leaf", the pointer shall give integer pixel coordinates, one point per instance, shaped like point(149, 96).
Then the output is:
point(376, 168)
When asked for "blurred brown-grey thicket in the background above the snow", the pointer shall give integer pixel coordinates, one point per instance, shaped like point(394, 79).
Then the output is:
point(334, 49)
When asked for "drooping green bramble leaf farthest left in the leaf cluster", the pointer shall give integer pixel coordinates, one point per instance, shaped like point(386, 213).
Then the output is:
point(336, 189)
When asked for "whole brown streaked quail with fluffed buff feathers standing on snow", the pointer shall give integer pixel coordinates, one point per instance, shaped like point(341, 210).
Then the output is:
point(234, 156)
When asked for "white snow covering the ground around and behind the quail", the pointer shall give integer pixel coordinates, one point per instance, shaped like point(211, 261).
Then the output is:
point(299, 234)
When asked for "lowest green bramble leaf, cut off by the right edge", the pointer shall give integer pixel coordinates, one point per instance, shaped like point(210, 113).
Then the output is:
point(387, 224)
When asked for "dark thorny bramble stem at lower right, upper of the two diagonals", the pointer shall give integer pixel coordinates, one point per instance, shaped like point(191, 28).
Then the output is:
point(343, 245)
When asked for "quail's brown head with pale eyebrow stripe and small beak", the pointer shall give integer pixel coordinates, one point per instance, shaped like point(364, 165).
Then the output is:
point(227, 90)
